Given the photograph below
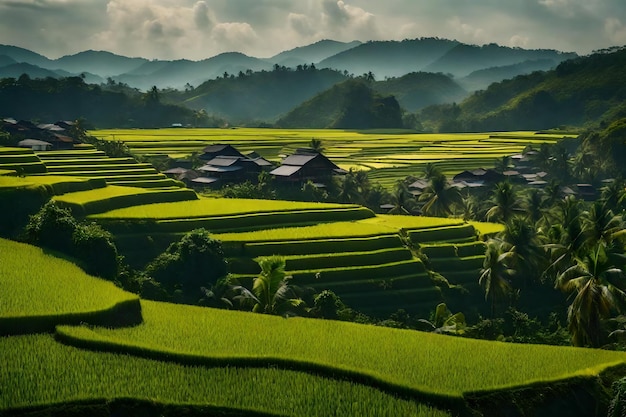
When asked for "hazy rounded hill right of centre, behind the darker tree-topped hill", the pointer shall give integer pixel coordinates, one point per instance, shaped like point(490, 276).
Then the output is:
point(421, 89)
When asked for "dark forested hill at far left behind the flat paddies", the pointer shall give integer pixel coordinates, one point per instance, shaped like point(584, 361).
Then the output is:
point(51, 99)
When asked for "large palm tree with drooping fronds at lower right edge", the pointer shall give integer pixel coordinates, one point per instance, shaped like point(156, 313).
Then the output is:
point(599, 290)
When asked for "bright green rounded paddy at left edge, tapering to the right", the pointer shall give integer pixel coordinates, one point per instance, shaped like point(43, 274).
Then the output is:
point(40, 289)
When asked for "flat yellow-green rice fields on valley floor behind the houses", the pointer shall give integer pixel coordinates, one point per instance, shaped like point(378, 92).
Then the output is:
point(386, 155)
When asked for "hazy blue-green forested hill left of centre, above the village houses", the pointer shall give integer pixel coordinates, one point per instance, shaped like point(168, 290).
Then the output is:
point(263, 95)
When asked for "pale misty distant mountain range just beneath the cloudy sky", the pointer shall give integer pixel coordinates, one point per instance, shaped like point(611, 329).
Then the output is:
point(383, 59)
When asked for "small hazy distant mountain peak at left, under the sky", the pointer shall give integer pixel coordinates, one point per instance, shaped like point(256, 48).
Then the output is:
point(102, 63)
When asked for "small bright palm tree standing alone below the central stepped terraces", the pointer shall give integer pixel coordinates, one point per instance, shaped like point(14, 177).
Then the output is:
point(271, 288)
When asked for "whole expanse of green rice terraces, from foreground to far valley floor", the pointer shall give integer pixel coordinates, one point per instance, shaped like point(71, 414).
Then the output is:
point(93, 348)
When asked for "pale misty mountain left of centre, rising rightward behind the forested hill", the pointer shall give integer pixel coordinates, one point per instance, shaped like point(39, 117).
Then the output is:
point(176, 74)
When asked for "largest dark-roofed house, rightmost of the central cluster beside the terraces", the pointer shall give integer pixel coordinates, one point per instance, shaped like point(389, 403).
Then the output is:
point(306, 166)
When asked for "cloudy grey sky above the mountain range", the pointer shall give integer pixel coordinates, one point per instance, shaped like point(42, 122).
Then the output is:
point(199, 29)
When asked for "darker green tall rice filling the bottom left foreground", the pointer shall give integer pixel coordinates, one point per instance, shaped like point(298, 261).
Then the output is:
point(35, 370)
